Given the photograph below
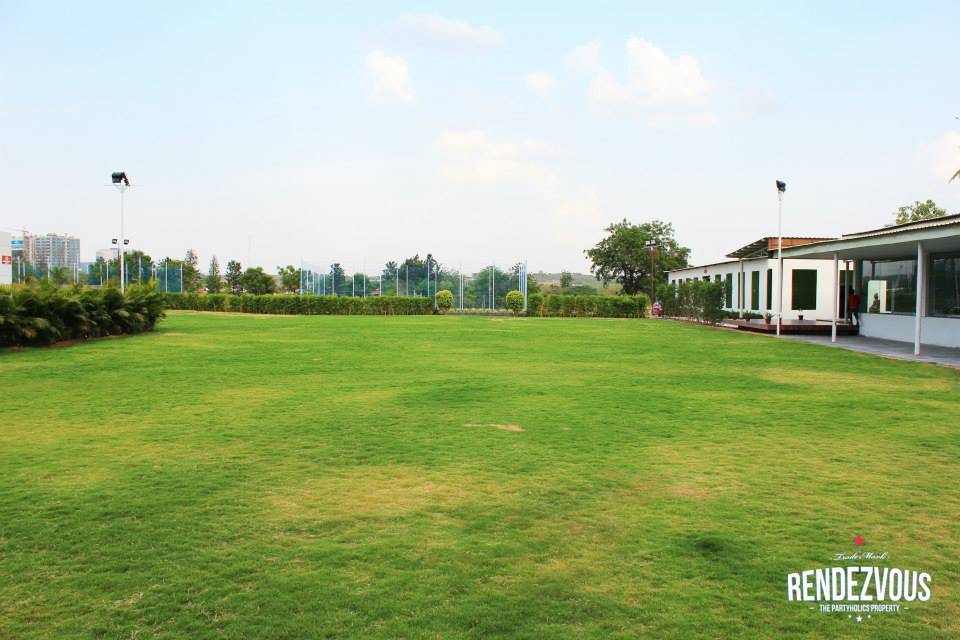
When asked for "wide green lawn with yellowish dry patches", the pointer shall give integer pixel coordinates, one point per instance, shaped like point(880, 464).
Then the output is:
point(237, 476)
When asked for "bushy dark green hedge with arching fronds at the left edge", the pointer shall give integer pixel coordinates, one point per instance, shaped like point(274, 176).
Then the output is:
point(33, 315)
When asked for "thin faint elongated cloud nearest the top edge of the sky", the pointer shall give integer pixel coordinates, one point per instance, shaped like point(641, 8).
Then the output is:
point(437, 32)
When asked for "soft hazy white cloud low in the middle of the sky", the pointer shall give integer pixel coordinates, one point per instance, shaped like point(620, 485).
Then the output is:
point(474, 156)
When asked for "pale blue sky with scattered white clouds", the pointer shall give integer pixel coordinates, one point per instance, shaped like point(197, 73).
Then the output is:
point(360, 132)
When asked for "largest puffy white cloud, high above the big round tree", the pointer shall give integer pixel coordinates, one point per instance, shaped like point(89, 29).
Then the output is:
point(656, 86)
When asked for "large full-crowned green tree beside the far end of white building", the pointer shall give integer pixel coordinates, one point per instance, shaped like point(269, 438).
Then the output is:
point(623, 256)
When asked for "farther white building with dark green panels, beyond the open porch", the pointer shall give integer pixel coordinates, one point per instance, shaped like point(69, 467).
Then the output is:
point(750, 277)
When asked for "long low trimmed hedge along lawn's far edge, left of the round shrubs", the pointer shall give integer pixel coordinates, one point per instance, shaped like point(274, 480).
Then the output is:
point(301, 305)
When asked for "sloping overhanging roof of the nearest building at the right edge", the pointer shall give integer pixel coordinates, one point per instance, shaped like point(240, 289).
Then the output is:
point(938, 235)
